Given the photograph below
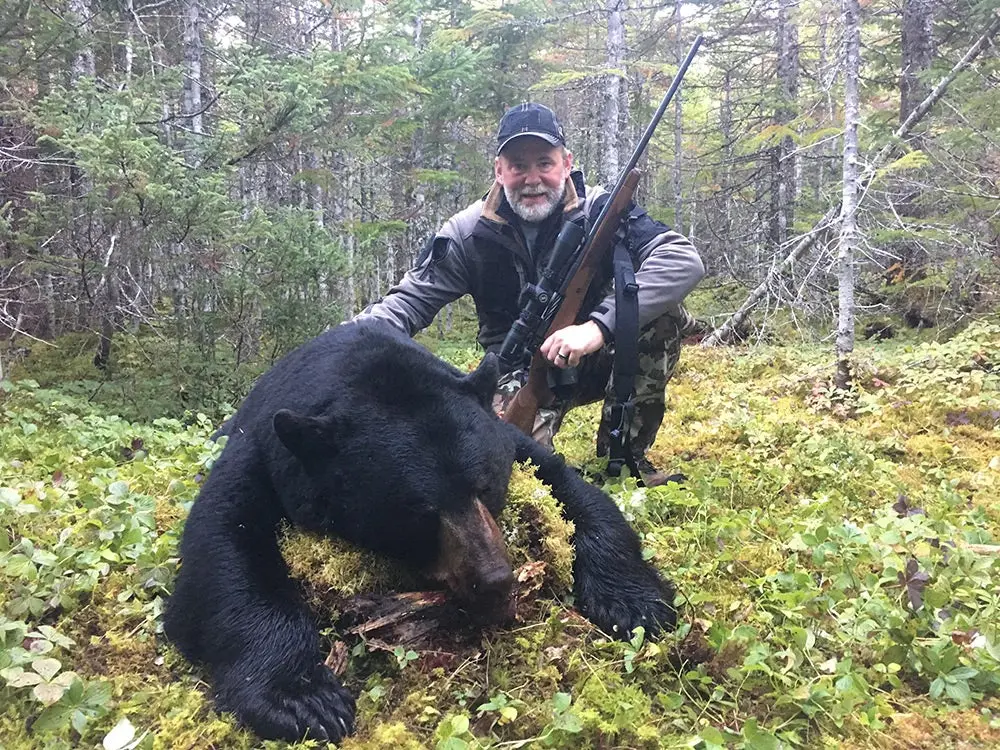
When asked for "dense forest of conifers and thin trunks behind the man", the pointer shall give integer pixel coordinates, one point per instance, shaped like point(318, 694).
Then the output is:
point(229, 178)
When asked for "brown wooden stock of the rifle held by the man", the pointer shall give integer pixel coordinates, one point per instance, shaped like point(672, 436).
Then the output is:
point(535, 393)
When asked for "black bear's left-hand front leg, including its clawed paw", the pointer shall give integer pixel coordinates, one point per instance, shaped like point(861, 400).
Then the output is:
point(235, 609)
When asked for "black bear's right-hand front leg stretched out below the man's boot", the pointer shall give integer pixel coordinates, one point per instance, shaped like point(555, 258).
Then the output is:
point(615, 588)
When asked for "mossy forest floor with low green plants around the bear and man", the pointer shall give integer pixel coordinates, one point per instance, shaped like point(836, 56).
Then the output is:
point(837, 558)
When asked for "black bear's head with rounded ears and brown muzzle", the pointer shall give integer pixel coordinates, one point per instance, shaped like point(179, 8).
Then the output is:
point(407, 459)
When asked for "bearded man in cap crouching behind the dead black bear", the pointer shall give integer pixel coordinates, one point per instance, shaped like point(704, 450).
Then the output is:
point(497, 245)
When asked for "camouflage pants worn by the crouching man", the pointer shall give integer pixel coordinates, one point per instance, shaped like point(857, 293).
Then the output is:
point(659, 350)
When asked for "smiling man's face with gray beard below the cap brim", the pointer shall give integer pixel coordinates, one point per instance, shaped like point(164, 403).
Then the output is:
point(533, 176)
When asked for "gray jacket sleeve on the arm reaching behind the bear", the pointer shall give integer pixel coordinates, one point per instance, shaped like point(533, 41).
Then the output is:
point(438, 278)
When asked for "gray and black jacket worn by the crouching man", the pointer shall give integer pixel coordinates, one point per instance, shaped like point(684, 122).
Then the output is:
point(482, 251)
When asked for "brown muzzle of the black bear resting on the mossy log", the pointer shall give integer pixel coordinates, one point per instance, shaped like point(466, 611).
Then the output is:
point(473, 563)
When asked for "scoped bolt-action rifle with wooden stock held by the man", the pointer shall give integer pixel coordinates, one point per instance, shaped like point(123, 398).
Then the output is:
point(555, 301)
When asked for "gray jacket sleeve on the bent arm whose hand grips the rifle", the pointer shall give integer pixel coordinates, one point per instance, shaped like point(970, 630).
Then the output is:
point(668, 268)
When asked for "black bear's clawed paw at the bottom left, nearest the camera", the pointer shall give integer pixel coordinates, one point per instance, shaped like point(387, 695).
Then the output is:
point(314, 706)
